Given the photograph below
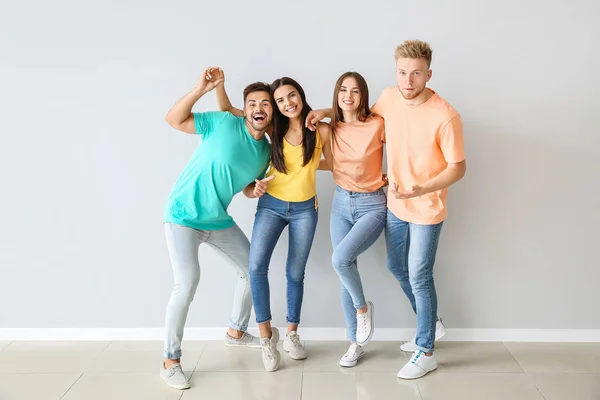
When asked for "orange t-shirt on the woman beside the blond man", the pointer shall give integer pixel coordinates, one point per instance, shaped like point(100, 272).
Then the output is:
point(357, 149)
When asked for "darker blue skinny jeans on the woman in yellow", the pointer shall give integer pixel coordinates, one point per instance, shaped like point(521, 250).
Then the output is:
point(272, 215)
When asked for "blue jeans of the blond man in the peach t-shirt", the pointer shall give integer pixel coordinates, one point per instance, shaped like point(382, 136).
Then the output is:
point(411, 252)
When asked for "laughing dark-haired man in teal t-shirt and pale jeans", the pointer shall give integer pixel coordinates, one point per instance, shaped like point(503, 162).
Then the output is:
point(233, 154)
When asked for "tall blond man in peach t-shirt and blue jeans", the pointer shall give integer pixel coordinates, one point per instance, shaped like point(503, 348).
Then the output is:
point(425, 154)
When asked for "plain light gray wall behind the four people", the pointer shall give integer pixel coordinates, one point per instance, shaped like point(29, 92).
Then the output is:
point(87, 161)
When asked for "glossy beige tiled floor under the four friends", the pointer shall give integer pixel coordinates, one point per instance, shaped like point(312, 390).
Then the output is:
point(467, 370)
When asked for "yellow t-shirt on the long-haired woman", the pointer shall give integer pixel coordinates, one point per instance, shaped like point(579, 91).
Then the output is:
point(299, 184)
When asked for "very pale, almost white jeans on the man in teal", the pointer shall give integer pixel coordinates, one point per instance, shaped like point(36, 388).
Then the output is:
point(183, 243)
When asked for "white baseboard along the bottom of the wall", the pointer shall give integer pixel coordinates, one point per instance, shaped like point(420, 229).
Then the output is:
point(381, 334)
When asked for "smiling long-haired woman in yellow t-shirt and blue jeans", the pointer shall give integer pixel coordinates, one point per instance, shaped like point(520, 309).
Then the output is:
point(287, 197)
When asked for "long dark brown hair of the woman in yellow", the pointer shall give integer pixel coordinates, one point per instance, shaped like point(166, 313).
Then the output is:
point(281, 124)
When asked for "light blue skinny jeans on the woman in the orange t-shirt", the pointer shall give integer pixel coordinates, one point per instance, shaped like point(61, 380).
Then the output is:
point(357, 220)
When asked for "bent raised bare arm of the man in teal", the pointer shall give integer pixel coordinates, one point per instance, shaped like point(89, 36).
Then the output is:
point(180, 115)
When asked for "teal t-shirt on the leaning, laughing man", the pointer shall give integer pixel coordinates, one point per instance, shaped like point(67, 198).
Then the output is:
point(227, 159)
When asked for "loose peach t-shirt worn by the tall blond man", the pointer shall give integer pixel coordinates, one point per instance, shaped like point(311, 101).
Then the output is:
point(421, 141)
